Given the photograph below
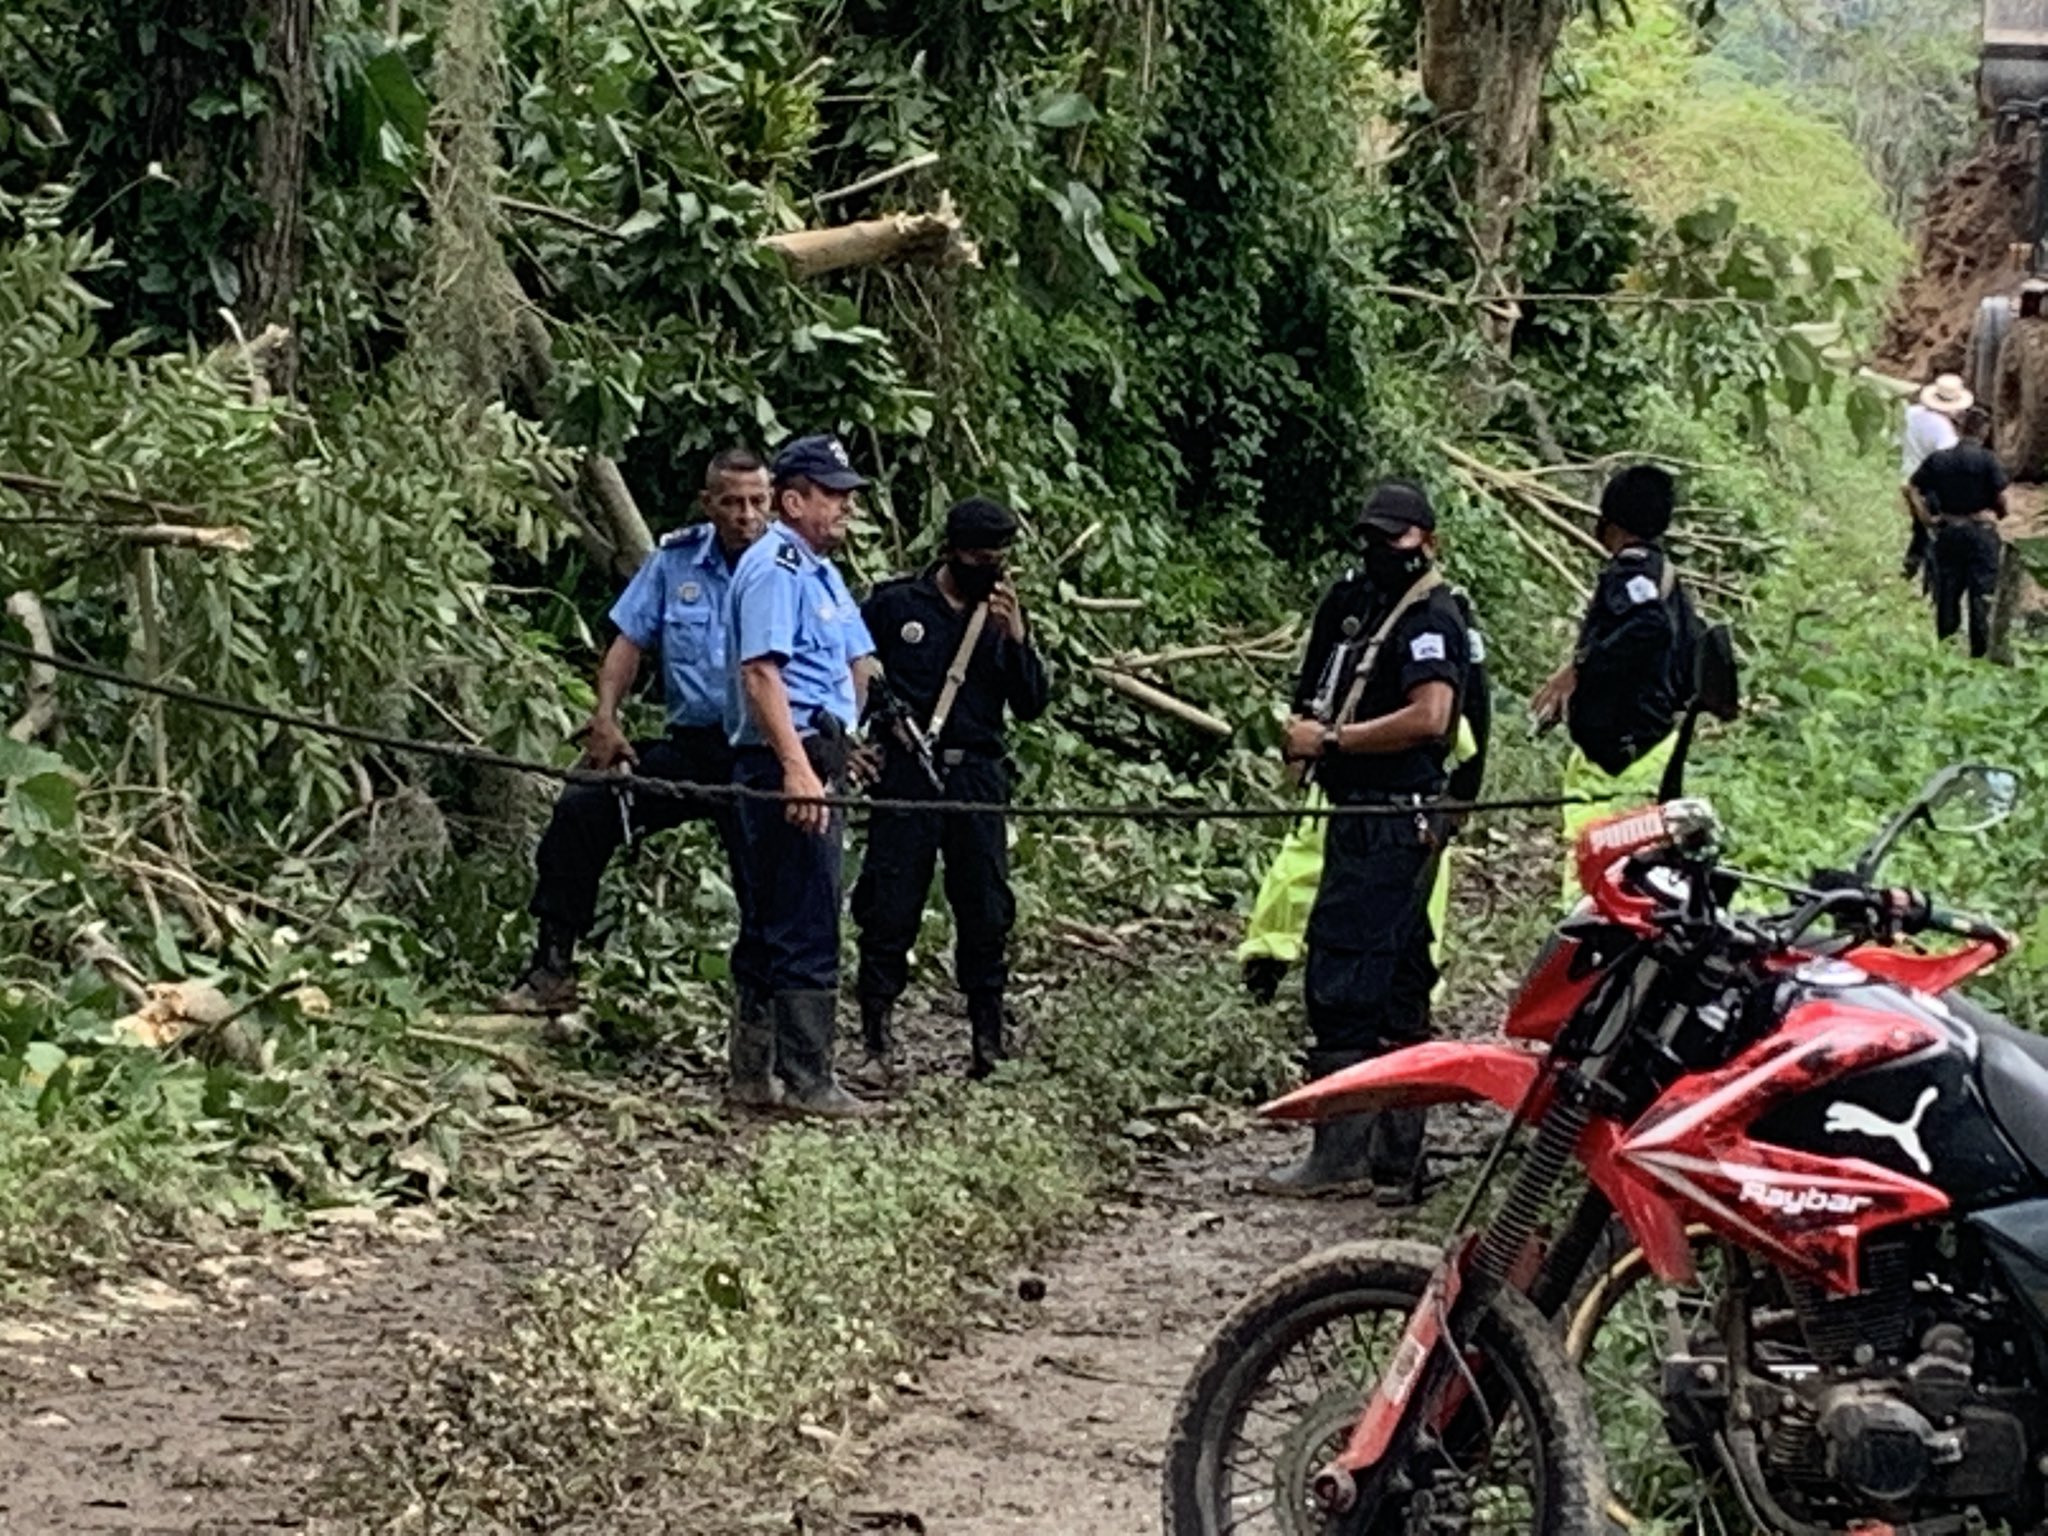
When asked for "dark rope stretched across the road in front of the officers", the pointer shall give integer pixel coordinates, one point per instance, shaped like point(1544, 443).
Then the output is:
point(685, 790)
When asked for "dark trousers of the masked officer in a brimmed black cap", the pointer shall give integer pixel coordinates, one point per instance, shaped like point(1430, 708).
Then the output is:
point(1371, 974)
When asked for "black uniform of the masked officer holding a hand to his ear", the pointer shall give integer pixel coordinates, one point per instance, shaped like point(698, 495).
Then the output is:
point(916, 636)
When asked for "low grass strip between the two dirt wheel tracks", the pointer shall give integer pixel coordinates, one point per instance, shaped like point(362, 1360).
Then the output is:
point(781, 1291)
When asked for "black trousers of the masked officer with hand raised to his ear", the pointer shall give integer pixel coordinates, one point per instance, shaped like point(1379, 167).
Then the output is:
point(896, 878)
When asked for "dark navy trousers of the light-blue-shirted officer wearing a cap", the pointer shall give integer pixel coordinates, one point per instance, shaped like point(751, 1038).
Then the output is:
point(796, 882)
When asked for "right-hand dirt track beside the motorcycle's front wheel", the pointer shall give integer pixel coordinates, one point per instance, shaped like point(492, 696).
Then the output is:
point(1052, 1418)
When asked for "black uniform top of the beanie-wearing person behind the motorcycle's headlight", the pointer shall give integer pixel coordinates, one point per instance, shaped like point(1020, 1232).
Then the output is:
point(1635, 660)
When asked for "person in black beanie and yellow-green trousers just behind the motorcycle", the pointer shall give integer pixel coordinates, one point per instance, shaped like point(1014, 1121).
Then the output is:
point(1631, 675)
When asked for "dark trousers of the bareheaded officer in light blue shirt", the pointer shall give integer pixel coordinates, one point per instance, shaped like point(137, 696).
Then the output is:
point(589, 828)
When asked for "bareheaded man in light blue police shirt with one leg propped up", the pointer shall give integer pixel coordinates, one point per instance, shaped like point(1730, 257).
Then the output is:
point(677, 609)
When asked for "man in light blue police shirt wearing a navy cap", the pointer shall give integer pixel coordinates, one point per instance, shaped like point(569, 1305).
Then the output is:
point(800, 681)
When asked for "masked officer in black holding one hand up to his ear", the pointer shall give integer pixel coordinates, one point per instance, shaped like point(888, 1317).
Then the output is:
point(921, 630)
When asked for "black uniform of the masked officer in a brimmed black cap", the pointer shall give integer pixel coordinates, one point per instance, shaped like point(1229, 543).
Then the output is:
point(1369, 974)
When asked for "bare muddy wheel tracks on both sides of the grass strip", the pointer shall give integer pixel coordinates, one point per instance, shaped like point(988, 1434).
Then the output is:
point(214, 1394)
